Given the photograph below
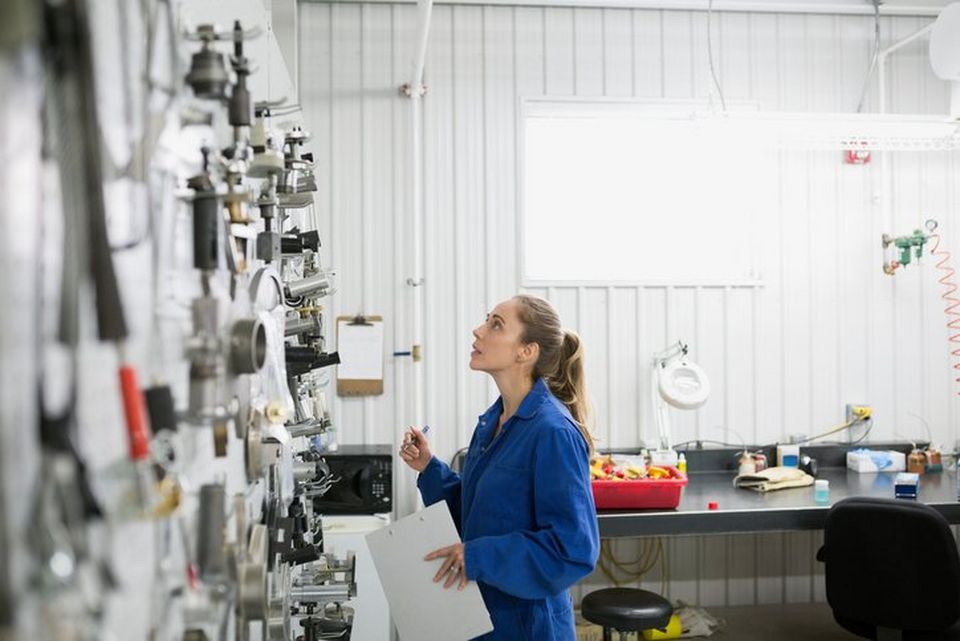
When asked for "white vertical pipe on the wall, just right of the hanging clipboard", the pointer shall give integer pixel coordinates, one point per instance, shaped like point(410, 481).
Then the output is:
point(424, 10)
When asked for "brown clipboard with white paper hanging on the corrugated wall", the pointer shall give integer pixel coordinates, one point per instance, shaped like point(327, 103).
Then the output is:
point(360, 345)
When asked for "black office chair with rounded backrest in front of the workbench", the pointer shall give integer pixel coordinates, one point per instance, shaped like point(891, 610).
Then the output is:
point(892, 570)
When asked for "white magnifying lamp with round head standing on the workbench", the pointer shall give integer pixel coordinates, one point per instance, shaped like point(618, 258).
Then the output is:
point(678, 382)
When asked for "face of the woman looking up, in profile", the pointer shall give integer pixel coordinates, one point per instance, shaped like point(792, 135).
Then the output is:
point(497, 346)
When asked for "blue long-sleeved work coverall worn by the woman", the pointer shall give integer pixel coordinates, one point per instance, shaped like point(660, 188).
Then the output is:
point(525, 511)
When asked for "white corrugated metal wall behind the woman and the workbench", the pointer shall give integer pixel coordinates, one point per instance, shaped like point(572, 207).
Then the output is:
point(826, 327)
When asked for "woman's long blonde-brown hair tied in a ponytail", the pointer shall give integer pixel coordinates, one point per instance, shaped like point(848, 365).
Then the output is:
point(561, 358)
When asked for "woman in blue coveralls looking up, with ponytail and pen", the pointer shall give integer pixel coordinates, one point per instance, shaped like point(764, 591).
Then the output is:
point(523, 503)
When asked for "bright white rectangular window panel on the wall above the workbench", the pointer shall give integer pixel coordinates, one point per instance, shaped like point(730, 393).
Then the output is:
point(615, 192)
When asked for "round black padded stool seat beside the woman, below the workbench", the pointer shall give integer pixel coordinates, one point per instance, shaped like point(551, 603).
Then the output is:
point(626, 610)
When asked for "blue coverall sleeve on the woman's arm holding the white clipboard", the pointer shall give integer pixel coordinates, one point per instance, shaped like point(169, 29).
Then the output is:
point(563, 548)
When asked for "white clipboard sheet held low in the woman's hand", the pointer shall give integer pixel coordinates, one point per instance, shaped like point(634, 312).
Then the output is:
point(421, 609)
